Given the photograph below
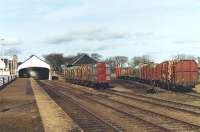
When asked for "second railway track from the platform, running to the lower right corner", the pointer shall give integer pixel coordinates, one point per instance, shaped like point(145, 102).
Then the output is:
point(153, 118)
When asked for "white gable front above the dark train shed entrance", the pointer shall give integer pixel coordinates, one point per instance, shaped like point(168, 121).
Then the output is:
point(33, 61)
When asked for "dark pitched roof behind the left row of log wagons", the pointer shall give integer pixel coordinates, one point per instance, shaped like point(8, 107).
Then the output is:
point(80, 59)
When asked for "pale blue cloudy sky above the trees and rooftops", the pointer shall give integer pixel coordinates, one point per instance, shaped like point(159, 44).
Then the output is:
point(130, 28)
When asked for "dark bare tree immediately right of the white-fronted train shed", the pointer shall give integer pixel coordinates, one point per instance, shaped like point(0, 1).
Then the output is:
point(55, 60)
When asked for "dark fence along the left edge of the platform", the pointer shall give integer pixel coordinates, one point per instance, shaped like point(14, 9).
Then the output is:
point(5, 80)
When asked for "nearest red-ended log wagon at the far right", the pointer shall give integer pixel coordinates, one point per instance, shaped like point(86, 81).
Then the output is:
point(179, 74)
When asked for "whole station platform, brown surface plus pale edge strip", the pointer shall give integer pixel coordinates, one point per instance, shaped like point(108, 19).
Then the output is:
point(25, 107)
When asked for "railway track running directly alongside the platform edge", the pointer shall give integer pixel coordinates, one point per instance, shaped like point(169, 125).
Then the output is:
point(87, 120)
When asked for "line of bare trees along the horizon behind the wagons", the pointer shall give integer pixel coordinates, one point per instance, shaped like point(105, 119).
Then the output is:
point(58, 60)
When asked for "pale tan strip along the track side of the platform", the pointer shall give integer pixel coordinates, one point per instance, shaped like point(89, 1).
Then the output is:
point(53, 117)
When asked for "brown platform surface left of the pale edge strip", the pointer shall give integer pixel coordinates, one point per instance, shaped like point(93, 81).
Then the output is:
point(18, 109)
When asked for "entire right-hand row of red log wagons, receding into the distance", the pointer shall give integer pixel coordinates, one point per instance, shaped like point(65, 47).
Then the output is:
point(175, 75)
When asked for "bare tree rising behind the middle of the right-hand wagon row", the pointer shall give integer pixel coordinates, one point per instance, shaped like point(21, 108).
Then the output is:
point(138, 60)
